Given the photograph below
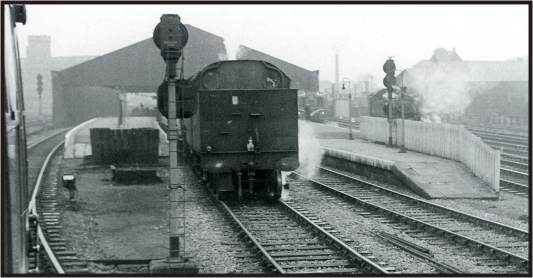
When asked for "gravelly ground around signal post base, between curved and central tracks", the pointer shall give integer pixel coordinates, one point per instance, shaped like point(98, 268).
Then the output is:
point(130, 222)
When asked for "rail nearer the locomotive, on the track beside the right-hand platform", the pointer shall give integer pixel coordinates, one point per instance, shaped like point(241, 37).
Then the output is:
point(524, 262)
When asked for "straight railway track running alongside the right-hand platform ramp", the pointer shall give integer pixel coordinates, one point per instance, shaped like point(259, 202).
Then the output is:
point(500, 247)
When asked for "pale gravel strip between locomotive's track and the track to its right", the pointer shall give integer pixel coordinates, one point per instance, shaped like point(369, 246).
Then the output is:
point(352, 225)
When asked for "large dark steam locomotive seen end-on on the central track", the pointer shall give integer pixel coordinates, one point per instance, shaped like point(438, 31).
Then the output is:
point(243, 127)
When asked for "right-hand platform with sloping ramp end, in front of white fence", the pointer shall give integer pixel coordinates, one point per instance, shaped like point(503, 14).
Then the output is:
point(430, 176)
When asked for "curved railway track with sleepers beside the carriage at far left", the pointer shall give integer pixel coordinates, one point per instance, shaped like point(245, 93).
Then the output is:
point(52, 254)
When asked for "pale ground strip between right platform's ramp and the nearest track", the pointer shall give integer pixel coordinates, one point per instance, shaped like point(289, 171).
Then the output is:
point(510, 209)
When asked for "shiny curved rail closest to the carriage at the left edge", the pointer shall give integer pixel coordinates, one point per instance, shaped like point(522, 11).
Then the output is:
point(32, 209)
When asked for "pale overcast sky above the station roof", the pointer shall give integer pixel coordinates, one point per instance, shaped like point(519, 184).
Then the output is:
point(306, 35)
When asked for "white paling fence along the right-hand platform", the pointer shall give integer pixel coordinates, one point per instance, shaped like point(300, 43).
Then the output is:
point(444, 140)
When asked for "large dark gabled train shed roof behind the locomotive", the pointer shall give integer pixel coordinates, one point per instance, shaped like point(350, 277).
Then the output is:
point(92, 88)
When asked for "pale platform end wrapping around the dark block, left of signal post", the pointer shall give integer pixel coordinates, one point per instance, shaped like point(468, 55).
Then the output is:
point(78, 140)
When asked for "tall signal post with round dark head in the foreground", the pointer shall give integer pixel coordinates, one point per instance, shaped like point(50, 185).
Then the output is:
point(170, 35)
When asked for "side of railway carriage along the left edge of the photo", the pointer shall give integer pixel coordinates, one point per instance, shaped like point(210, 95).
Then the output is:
point(15, 196)
